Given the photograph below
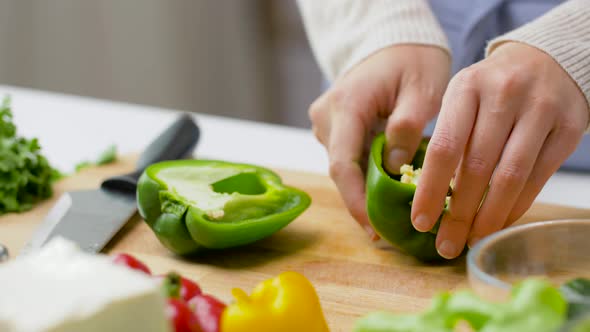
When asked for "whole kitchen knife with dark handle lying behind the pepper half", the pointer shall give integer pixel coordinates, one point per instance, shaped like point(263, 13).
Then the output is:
point(91, 218)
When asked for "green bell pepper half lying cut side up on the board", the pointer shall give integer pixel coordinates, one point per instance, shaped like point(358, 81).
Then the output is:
point(195, 204)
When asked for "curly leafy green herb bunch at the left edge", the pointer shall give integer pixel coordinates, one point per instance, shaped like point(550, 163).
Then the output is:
point(25, 174)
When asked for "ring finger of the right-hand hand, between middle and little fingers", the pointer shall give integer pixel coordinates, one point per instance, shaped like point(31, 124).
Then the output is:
point(514, 168)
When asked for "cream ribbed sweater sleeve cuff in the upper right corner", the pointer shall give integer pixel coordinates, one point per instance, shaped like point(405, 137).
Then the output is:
point(564, 34)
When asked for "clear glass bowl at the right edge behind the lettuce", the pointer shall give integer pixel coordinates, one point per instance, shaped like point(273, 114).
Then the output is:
point(557, 251)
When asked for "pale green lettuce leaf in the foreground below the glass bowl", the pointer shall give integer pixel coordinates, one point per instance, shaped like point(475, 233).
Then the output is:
point(535, 306)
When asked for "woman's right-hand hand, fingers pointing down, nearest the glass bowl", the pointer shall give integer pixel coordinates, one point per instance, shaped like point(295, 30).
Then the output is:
point(509, 121)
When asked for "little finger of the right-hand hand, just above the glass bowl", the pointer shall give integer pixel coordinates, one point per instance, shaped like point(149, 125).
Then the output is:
point(558, 146)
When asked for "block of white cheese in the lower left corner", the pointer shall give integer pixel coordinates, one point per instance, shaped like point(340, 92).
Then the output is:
point(62, 289)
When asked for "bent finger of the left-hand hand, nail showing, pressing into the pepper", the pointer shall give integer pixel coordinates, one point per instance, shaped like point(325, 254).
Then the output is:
point(413, 110)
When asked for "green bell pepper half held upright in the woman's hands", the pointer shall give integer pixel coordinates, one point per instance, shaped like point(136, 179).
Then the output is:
point(389, 203)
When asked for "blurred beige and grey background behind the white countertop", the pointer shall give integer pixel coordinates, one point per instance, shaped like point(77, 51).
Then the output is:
point(243, 59)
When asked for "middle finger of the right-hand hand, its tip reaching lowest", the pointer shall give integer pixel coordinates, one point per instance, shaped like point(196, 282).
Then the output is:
point(489, 135)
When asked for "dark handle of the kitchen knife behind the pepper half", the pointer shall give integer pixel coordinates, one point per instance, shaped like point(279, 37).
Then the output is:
point(176, 142)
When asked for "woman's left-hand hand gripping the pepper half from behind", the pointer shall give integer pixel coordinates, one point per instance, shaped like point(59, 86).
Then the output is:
point(398, 89)
